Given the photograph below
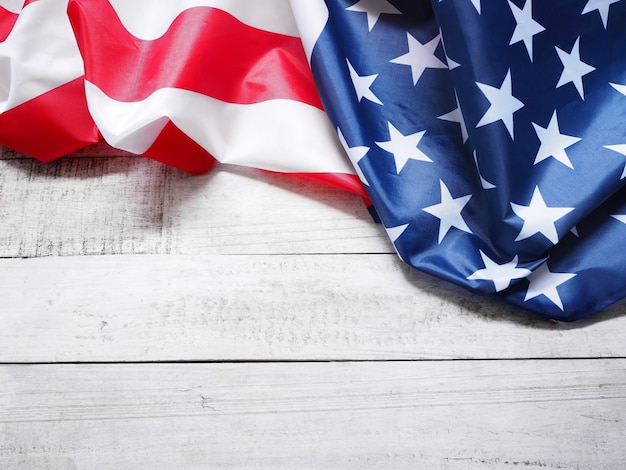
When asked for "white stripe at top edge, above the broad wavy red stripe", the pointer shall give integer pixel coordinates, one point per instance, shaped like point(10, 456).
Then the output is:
point(149, 19)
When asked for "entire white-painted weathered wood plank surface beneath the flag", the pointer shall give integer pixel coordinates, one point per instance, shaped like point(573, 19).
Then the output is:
point(151, 319)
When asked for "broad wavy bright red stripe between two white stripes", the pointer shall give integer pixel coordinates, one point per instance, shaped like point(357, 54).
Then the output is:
point(205, 50)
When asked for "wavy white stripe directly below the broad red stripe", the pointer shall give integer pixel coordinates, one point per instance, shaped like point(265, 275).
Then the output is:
point(276, 135)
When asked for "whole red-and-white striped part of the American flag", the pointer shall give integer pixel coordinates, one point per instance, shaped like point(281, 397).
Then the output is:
point(186, 83)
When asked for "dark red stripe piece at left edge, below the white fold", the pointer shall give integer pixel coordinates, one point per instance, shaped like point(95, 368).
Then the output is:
point(51, 125)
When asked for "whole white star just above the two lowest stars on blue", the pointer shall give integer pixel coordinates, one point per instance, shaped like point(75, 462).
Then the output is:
point(539, 218)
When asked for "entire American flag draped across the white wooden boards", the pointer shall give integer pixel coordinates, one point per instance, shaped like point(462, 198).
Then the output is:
point(487, 134)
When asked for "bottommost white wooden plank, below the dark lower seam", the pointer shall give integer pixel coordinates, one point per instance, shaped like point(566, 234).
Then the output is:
point(400, 415)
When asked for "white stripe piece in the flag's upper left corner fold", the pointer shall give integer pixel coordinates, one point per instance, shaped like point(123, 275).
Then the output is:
point(40, 54)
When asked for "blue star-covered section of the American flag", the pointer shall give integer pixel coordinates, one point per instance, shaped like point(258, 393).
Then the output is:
point(491, 138)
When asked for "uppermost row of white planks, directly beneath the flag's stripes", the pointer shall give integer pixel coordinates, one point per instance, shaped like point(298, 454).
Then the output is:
point(133, 205)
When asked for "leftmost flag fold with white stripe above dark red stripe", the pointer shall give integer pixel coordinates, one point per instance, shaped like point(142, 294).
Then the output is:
point(43, 110)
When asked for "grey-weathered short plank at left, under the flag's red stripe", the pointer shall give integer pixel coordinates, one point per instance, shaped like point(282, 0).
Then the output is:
point(81, 206)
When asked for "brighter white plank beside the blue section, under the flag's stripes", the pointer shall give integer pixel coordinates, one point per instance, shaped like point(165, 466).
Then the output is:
point(235, 210)
